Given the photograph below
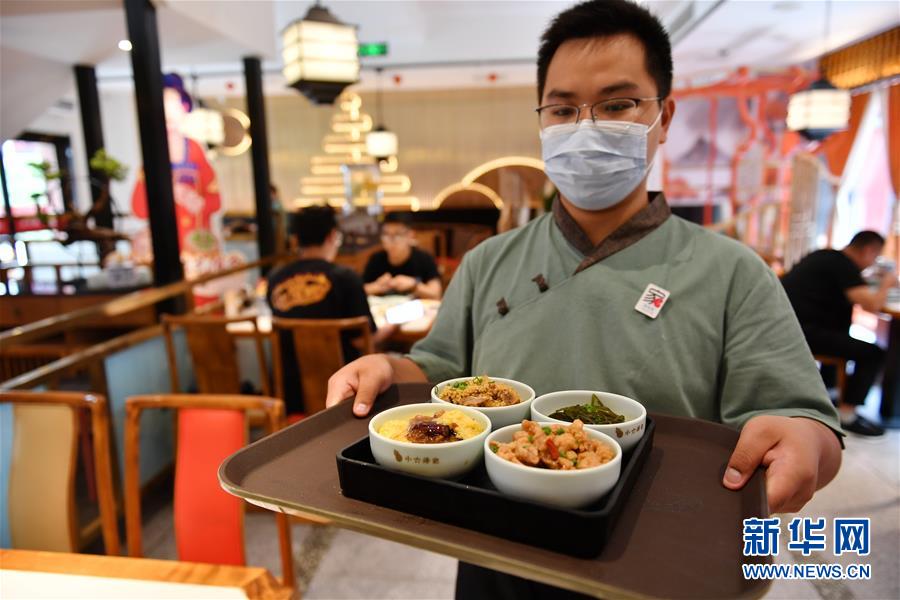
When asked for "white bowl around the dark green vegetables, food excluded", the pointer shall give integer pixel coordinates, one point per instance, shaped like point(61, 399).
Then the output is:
point(627, 433)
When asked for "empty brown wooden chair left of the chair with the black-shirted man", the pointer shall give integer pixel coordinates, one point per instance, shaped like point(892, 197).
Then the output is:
point(213, 352)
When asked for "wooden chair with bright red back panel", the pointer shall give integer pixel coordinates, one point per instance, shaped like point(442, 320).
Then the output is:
point(209, 523)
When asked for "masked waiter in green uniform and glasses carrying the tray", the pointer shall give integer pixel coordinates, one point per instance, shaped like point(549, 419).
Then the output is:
point(609, 291)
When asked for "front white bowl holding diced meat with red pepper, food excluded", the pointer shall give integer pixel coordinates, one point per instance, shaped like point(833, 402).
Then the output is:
point(568, 489)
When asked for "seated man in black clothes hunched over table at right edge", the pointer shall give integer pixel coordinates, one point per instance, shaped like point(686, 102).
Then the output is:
point(823, 287)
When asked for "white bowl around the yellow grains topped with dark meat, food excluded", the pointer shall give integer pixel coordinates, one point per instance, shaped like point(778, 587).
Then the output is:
point(444, 460)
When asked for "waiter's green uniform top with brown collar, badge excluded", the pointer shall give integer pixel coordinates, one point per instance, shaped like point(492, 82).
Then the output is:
point(542, 305)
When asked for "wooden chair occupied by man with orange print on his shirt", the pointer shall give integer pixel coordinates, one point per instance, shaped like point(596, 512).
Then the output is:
point(319, 352)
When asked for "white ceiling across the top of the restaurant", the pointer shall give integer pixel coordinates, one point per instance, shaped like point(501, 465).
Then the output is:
point(495, 40)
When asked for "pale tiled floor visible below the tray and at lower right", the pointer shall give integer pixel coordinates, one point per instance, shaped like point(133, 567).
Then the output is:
point(338, 564)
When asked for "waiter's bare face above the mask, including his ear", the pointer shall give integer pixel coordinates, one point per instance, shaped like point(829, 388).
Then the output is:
point(586, 71)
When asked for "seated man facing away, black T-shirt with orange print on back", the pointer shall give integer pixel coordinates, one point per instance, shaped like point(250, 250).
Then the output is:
point(313, 287)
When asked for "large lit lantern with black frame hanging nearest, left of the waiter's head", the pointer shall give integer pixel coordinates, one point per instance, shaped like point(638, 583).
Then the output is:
point(320, 55)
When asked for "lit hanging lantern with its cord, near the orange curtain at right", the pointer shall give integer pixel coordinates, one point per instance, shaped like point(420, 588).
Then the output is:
point(821, 109)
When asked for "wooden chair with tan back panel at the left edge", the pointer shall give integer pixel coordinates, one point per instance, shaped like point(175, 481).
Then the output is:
point(42, 513)
